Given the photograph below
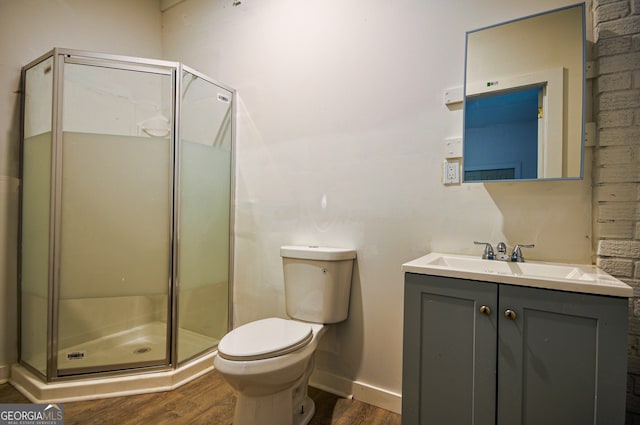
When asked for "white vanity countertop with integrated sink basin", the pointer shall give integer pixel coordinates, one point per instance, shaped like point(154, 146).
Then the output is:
point(566, 277)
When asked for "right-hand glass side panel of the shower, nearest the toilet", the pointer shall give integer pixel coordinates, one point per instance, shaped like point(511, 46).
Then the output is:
point(205, 182)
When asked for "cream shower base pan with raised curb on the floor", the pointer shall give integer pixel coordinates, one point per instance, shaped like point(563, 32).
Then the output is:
point(141, 339)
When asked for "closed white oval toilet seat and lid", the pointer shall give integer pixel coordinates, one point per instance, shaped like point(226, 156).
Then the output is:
point(264, 339)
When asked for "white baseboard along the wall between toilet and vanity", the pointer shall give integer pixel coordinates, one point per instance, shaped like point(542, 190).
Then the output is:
point(369, 394)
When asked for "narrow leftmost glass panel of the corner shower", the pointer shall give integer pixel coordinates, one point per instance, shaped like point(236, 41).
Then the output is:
point(35, 213)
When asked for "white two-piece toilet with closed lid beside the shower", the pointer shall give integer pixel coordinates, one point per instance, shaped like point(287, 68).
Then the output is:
point(269, 361)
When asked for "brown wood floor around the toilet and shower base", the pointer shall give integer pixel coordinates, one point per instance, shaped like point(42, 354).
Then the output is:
point(208, 400)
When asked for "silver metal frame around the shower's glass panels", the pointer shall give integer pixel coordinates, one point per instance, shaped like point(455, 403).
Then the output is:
point(127, 63)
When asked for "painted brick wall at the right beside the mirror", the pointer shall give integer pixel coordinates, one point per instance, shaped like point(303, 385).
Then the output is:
point(617, 163)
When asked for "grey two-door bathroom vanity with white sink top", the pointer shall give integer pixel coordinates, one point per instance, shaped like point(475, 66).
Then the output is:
point(492, 342)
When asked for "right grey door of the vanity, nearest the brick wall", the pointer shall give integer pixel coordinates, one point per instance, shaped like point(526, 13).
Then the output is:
point(562, 359)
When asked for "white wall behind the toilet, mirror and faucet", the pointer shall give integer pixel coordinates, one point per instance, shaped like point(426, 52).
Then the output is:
point(340, 132)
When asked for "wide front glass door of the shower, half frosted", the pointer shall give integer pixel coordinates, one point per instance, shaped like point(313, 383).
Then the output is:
point(114, 215)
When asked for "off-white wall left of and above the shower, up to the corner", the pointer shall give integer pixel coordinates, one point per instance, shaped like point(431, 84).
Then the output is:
point(29, 28)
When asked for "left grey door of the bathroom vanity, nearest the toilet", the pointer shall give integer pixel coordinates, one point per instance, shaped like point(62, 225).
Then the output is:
point(449, 351)
